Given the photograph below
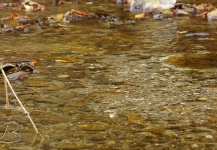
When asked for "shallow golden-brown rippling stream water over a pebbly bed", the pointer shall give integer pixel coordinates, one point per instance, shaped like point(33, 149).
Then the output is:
point(130, 86)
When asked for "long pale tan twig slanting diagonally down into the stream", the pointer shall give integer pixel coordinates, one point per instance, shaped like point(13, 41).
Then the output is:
point(25, 111)
